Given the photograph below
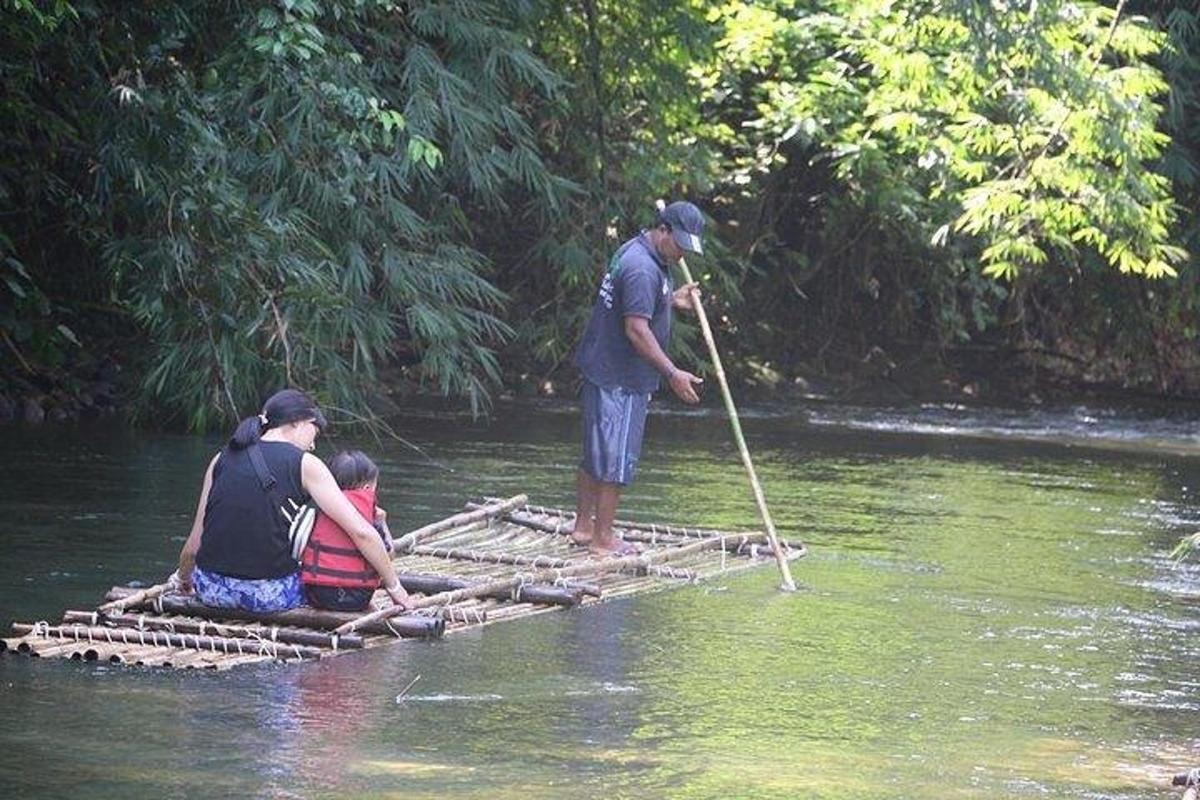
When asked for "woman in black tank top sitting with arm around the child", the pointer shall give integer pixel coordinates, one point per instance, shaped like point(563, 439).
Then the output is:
point(238, 555)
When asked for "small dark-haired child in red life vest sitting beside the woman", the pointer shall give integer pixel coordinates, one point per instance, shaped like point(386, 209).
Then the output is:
point(335, 575)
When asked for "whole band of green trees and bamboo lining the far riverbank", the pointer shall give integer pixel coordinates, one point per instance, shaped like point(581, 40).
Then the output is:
point(201, 202)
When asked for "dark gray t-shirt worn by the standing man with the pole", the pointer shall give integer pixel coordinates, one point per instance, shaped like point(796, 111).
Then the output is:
point(638, 285)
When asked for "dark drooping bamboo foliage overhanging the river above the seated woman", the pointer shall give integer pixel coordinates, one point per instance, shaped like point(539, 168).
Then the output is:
point(304, 179)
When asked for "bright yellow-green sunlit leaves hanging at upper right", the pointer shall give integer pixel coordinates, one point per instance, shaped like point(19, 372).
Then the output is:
point(1030, 131)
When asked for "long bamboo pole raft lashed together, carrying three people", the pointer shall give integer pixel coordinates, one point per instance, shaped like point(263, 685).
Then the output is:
point(496, 561)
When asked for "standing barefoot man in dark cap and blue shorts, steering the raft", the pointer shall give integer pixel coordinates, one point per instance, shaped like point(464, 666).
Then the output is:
point(622, 358)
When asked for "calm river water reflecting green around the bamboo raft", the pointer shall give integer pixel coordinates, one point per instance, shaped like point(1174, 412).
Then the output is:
point(989, 611)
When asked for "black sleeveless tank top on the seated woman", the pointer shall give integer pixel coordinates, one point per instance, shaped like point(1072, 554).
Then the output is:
point(244, 536)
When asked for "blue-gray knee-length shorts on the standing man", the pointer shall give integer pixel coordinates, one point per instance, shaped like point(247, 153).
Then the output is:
point(614, 424)
